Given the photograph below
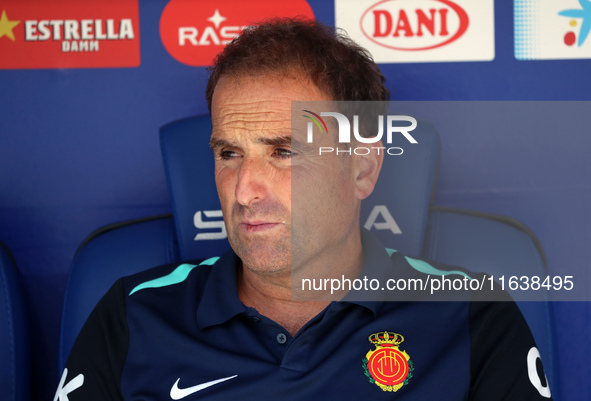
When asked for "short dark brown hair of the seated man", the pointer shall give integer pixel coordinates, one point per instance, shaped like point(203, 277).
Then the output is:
point(334, 63)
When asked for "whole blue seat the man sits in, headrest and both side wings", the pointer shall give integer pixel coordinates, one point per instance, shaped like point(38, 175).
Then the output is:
point(399, 212)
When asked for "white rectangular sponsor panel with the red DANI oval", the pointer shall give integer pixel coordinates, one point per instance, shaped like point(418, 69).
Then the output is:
point(420, 30)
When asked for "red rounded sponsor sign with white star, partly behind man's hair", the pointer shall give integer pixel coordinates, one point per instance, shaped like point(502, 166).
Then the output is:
point(194, 32)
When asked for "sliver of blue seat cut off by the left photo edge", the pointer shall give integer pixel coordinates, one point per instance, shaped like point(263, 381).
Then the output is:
point(14, 341)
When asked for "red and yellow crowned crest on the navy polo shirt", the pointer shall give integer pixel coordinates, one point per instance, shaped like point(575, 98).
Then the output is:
point(387, 366)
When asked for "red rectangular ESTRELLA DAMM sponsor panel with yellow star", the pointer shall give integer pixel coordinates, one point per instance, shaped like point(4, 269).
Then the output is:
point(65, 34)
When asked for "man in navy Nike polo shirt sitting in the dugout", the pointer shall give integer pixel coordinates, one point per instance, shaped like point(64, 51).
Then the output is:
point(229, 328)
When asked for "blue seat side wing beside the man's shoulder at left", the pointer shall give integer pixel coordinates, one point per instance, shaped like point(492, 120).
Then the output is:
point(107, 254)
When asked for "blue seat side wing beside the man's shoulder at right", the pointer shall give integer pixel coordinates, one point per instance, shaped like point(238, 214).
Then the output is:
point(501, 247)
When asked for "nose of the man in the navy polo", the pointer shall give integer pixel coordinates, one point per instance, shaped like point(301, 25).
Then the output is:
point(253, 182)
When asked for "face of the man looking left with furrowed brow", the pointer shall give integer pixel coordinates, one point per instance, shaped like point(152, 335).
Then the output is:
point(259, 165)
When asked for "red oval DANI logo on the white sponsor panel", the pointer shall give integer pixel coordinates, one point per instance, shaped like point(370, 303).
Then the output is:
point(414, 25)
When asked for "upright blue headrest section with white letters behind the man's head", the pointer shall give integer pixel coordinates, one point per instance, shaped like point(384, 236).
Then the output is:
point(396, 212)
